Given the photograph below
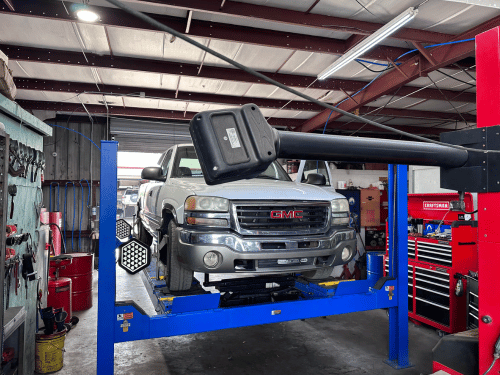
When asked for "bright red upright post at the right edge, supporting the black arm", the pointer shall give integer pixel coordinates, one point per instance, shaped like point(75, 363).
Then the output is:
point(488, 114)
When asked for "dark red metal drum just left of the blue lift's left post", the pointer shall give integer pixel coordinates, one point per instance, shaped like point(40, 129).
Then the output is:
point(80, 272)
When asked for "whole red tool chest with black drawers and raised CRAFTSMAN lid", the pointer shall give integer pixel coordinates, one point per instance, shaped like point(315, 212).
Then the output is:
point(435, 264)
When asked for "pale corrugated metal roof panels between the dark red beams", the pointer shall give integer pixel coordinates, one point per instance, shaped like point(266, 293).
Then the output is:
point(39, 32)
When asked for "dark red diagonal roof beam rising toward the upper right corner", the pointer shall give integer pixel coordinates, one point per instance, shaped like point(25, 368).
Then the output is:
point(413, 68)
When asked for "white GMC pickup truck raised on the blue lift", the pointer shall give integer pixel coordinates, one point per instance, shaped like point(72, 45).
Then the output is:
point(268, 224)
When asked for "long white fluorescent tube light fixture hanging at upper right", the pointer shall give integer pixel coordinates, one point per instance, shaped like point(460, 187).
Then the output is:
point(370, 42)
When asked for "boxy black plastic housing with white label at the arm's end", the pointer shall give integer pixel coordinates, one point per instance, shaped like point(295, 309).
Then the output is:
point(233, 144)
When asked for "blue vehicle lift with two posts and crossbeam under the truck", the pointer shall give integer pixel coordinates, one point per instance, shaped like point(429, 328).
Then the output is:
point(125, 321)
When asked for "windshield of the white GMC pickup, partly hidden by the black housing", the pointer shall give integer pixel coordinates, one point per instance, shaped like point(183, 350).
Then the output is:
point(186, 164)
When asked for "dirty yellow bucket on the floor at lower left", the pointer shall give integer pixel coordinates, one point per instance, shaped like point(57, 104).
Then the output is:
point(49, 350)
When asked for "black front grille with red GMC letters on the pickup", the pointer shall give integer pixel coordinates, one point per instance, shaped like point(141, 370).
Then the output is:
point(258, 218)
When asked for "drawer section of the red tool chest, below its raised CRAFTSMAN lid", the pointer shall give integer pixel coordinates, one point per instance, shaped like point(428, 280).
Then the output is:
point(432, 266)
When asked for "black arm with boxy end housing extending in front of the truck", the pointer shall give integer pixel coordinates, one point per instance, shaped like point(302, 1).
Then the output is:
point(234, 144)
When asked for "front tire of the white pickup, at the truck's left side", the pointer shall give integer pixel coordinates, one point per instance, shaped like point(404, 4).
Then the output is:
point(179, 278)
